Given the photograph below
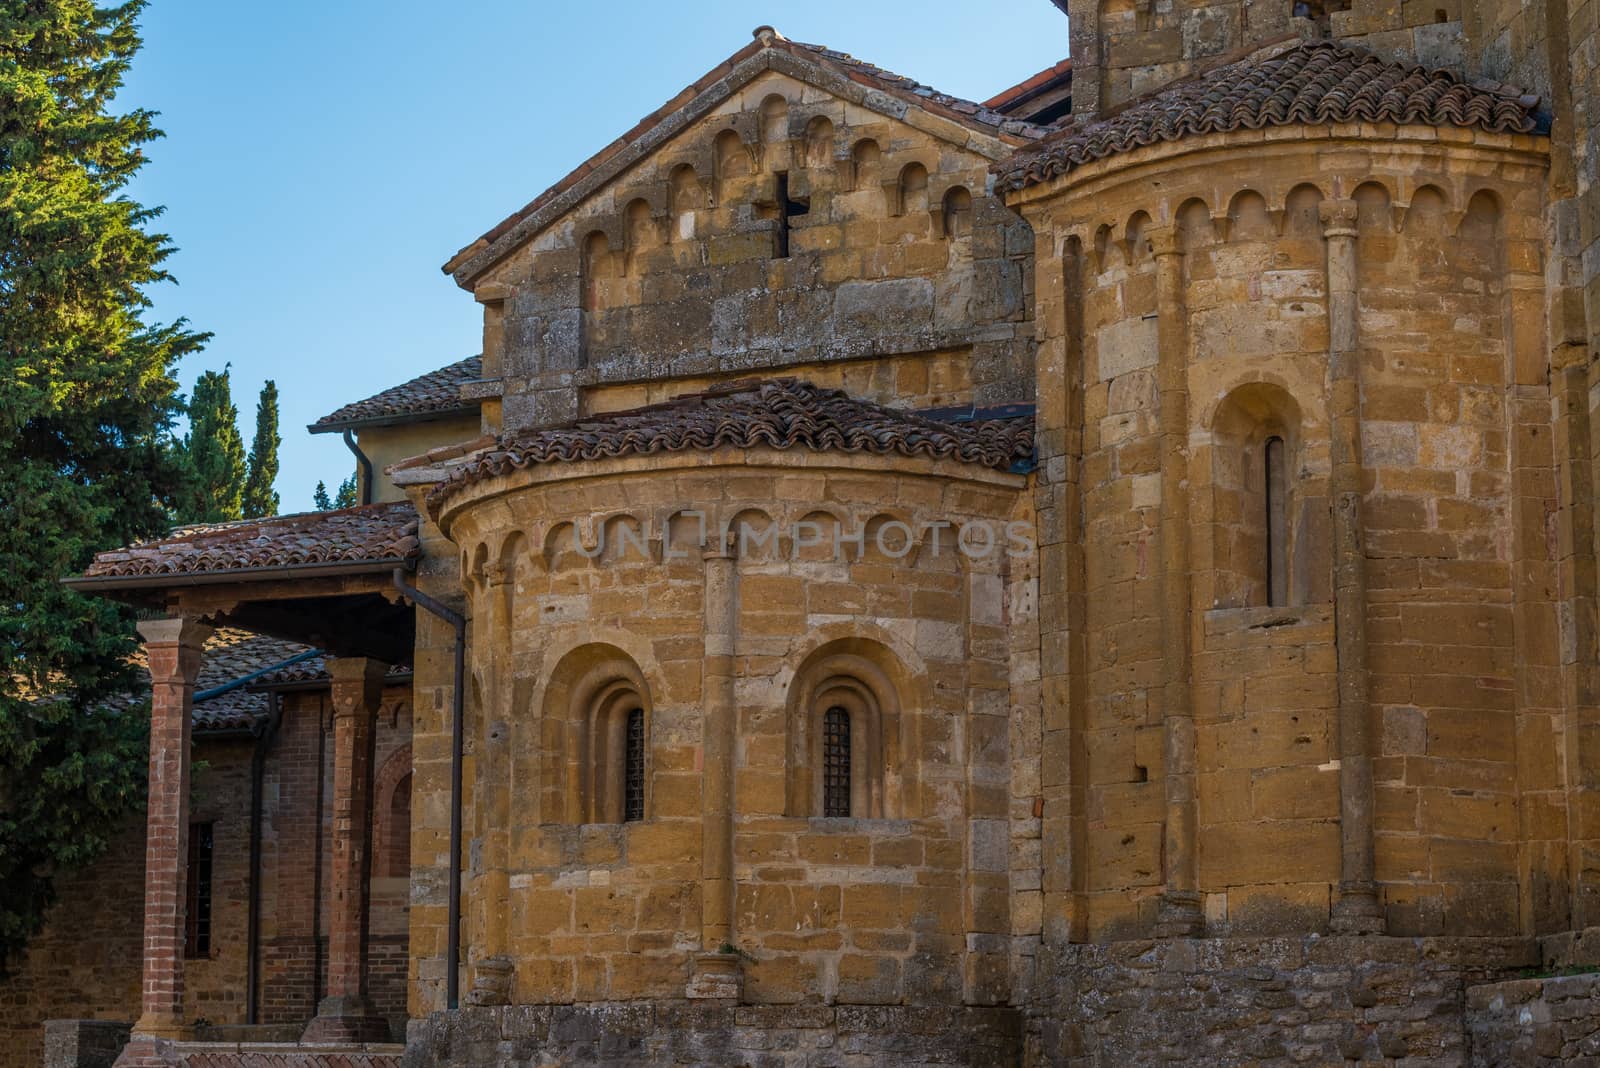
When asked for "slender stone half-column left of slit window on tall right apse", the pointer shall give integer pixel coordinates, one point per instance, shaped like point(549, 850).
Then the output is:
point(1180, 911)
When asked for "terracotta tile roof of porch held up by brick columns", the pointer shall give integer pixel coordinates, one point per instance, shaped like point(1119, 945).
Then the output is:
point(369, 533)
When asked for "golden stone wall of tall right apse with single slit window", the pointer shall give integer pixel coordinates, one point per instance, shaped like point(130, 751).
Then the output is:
point(1463, 661)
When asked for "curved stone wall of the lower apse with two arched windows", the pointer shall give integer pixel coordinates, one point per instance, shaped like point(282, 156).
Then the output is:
point(908, 901)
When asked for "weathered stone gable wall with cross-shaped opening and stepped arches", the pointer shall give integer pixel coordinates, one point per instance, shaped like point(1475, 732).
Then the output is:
point(786, 228)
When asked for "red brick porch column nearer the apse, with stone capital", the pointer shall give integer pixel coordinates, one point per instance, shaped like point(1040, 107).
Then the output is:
point(346, 1014)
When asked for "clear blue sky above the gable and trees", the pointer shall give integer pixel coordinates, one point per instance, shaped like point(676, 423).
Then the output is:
point(324, 159)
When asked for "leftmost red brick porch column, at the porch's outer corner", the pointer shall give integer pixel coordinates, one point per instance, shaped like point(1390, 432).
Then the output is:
point(174, 652)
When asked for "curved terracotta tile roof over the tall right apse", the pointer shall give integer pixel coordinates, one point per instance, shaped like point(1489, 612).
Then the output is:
point(1311, 84)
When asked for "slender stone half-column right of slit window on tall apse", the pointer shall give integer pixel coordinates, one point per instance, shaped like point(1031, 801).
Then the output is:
point(1356, 909)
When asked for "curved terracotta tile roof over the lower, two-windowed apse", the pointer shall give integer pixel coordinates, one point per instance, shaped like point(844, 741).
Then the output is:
point(775, 413)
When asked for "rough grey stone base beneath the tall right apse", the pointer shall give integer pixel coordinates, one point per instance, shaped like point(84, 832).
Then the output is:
point(1270, 1003)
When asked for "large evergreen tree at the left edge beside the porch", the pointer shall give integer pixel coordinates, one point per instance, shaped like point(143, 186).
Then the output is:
point(87, 461)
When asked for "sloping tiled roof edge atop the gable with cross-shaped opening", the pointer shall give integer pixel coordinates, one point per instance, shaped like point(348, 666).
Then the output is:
point(833, 71)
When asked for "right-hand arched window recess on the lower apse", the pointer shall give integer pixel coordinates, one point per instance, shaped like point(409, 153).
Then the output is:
point(850, 735)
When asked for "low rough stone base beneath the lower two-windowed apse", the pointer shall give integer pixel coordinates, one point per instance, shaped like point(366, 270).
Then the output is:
point(679, 1034)
